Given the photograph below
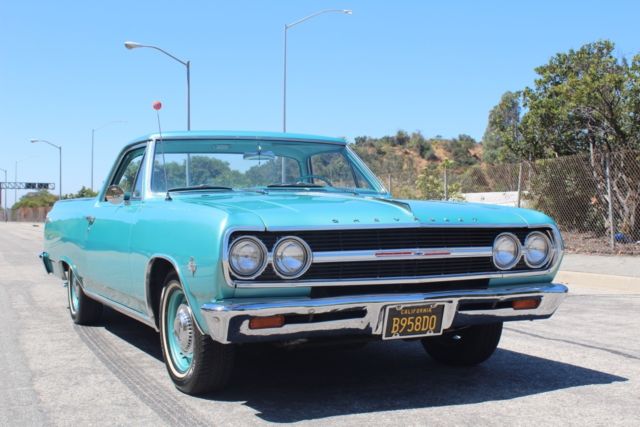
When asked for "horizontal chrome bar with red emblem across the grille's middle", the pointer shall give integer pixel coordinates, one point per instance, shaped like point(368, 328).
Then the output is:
point(401, 254)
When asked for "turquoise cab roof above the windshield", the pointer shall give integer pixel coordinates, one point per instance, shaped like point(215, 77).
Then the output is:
point(240, 135)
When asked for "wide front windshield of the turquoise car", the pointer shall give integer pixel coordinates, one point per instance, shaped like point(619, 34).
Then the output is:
point(242, 164)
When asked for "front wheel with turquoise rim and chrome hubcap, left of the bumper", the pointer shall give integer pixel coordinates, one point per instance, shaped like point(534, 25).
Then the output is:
point(195, 362)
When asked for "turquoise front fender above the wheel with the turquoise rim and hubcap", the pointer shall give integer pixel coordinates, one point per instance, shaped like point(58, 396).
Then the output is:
point(189, 237)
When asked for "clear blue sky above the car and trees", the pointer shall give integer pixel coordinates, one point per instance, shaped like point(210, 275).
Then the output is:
point(433, 66)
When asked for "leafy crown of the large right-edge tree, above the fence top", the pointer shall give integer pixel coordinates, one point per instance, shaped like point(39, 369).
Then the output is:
point(584, 99)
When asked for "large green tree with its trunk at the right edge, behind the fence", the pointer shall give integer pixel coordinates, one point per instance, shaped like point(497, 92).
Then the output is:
point(587, 100)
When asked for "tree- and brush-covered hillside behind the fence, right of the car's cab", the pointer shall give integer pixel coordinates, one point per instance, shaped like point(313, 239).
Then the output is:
point(575, 133)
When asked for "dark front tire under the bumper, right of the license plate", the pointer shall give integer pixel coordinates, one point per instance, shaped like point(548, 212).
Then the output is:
point(465, 347)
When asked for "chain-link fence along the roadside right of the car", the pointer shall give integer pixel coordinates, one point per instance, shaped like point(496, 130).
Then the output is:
point(595, 199)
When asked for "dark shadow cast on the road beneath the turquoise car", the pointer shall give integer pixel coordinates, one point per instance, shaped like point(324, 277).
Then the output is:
point(285, 386)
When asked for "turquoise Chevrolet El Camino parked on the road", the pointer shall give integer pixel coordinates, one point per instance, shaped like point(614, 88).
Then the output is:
point(219, 239)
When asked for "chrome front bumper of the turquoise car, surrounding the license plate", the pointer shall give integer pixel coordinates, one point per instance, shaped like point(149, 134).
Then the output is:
point(228, 320)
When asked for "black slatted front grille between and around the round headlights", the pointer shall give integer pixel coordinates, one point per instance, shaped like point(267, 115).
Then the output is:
point(389, 239)
